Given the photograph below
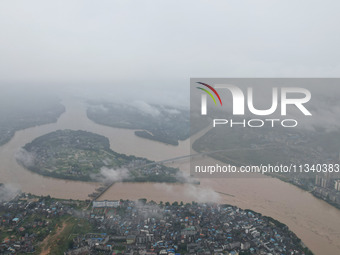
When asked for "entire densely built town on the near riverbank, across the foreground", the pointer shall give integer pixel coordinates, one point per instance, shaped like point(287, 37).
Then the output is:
point(140, 227)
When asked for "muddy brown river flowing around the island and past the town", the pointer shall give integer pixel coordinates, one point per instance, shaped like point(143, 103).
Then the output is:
point(313, 220)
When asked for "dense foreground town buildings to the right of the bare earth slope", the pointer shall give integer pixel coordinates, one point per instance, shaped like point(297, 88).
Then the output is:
point(127, 227)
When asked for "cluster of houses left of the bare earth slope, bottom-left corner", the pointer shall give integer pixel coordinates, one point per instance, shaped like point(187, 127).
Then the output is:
point(25, 222)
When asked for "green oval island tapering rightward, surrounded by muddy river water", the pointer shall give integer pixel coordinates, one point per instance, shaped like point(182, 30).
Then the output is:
point(85, 156)
